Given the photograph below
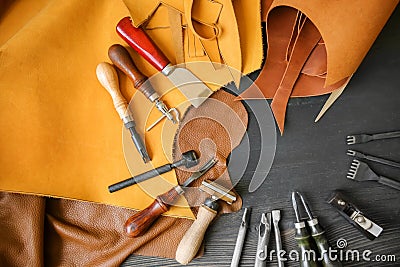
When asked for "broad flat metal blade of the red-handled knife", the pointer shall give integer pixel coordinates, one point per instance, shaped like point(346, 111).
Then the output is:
point(190, 86)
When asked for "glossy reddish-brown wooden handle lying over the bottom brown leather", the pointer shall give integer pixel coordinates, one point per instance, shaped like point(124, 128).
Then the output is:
point(138, 224)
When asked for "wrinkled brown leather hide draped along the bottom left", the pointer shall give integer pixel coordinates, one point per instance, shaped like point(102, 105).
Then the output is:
point(59, 232)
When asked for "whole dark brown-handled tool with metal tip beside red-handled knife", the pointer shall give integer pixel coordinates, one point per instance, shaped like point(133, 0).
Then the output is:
point(121, 58)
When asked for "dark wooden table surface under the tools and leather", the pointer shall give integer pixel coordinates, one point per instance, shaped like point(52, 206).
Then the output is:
point(311, 157)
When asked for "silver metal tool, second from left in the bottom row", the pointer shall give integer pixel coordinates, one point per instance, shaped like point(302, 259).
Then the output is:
point(264, 231)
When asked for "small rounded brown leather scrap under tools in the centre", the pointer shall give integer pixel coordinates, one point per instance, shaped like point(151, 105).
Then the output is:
point(213, 129)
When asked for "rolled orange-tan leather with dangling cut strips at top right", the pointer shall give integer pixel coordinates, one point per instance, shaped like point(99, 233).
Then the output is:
point(329, 66)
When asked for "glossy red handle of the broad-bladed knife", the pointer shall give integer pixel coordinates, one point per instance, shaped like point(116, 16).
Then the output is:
point(142, 43)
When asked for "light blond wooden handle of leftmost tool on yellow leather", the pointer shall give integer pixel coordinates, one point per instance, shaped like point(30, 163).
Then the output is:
point(108, 78)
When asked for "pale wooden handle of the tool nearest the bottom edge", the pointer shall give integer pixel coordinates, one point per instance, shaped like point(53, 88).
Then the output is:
point(191, 241)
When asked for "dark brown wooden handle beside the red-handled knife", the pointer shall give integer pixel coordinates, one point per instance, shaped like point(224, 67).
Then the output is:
point(122, 60)
